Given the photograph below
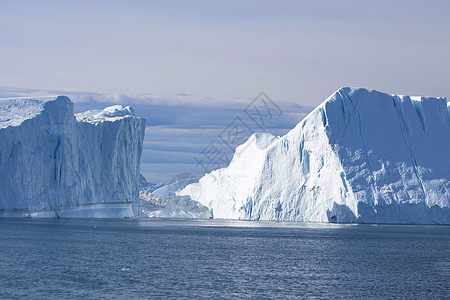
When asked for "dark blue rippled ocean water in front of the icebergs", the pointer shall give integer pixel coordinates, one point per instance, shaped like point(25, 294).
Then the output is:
point(177, 259)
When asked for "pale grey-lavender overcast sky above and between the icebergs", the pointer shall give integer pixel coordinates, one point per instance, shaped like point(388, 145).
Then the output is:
point(191, 67)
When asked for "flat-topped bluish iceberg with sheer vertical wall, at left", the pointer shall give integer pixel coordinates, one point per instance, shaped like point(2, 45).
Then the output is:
point(55, 164)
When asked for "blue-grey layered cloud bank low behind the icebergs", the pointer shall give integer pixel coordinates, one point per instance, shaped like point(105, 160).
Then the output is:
point(180, 126)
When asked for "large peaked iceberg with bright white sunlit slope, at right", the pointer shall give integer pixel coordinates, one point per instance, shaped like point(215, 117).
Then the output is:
point(361, 156)
